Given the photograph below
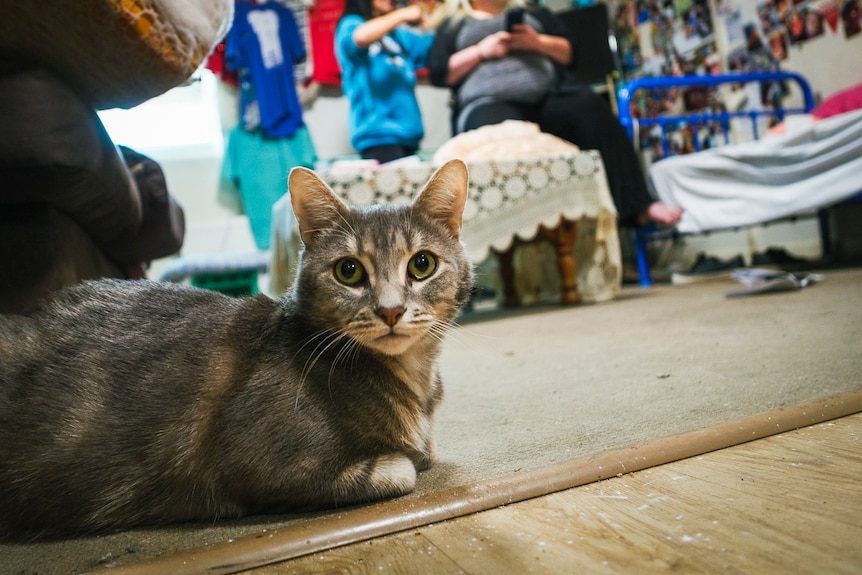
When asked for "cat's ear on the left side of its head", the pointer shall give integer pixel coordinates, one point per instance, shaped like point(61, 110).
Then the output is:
point(315, 205)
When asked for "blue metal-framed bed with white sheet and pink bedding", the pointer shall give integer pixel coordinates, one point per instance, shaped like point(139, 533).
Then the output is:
point(813, 164)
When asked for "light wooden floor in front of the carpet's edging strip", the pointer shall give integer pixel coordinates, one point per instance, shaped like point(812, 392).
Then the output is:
point(791, 503)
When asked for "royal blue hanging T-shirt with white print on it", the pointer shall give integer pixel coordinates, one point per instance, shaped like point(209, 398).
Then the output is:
point(265, 45)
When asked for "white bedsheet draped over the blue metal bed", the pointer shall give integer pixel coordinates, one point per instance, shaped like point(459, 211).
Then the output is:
point(807, 168)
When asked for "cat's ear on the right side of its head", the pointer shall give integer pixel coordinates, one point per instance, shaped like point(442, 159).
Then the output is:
point(445, 194)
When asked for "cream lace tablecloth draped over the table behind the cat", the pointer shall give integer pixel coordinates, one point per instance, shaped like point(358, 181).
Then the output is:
point(508, 199)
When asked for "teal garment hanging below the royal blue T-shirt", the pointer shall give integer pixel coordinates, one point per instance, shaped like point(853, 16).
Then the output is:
point(258, 167)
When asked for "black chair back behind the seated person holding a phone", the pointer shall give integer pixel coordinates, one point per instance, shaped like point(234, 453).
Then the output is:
point(597, 60)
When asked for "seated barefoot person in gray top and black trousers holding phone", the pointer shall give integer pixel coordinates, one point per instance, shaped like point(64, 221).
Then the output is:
point(499, 69)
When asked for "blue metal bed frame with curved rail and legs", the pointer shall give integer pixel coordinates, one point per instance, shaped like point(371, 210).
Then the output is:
point(633, 125)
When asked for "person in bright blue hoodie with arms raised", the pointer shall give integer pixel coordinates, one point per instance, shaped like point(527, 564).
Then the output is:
point(380, 48)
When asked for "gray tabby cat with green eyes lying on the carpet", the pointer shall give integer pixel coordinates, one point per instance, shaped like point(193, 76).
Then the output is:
point(127, 403)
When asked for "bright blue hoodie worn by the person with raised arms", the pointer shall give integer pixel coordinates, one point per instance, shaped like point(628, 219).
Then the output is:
point(380, 84)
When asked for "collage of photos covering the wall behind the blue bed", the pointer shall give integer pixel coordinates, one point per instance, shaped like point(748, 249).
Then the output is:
point(675, 38)
